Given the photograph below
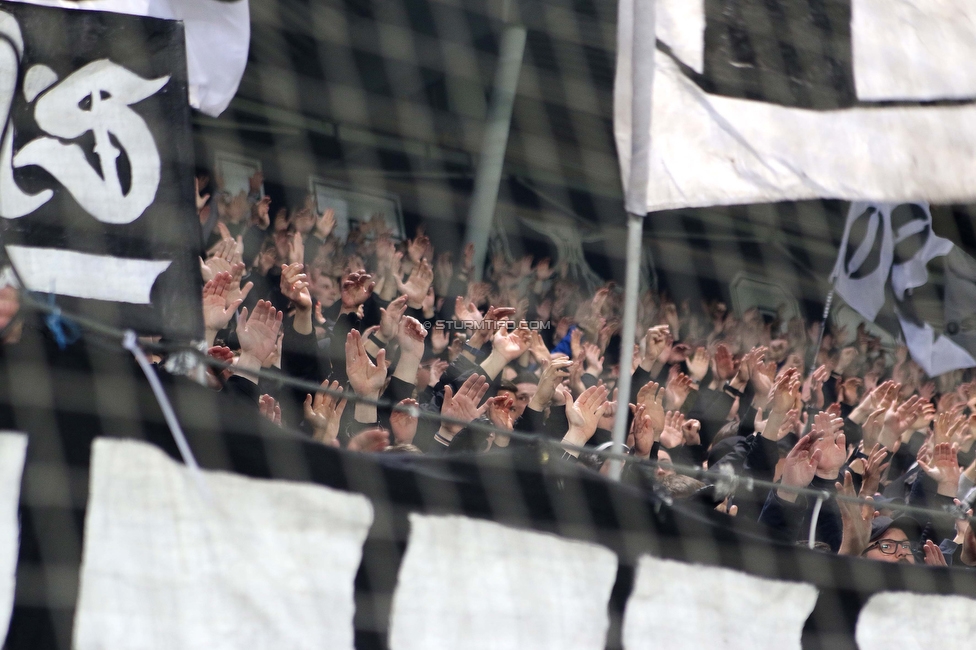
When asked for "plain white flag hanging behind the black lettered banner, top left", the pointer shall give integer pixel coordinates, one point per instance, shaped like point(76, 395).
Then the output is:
point(218, 35)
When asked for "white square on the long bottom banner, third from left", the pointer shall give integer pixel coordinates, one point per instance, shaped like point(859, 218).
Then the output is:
point(479, 585)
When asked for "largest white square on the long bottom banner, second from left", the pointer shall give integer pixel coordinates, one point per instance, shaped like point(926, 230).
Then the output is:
point(261, 564)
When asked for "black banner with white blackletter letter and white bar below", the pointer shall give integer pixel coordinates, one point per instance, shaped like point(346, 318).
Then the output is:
point(96, 165)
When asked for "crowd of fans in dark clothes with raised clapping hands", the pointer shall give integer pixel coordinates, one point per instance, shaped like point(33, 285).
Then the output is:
point(399, 322)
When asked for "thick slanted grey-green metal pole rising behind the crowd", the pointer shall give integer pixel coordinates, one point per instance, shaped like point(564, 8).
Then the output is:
point(481, 215)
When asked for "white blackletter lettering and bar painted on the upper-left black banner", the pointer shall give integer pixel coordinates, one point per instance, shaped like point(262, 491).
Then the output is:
point(95, 99)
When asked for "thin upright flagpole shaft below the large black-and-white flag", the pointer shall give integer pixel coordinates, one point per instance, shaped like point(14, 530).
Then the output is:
point(635, 233)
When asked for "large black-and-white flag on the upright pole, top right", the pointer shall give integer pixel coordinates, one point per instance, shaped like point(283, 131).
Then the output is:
point(757, 101)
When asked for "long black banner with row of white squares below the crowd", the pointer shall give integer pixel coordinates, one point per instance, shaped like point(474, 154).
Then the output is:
point(289, 543)
